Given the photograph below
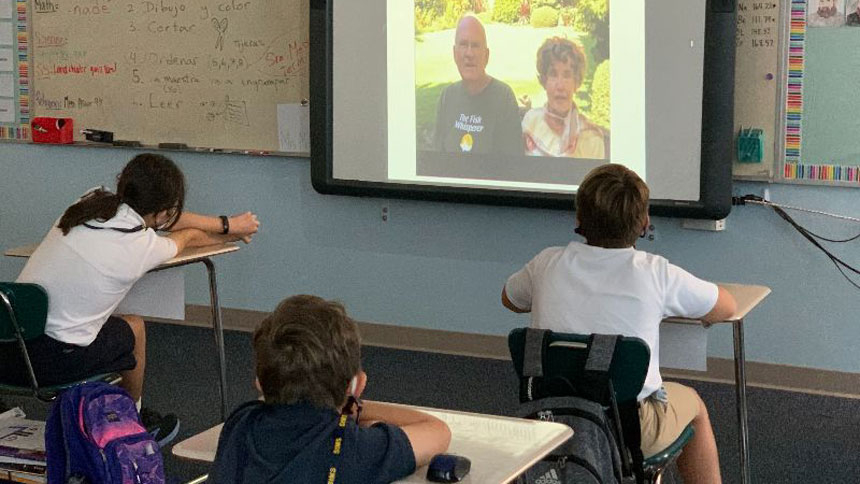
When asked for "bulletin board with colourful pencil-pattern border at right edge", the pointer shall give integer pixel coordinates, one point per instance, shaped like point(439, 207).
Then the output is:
point(822, 126)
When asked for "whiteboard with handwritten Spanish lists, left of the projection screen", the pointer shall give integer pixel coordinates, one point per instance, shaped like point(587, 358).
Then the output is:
point(212, 75)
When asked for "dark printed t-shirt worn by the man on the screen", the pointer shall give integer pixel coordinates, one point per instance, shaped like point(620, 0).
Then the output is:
point(487, 122)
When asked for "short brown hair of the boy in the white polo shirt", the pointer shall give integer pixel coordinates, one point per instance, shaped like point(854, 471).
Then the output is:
point(612, 206)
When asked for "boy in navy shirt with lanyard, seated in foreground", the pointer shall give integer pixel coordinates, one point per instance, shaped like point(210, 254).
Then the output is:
point(308, 365)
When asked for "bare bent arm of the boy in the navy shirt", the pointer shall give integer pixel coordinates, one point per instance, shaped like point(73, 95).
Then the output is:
point(427, 434)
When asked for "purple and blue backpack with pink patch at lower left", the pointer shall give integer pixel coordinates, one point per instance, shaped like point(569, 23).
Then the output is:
point(94, 436)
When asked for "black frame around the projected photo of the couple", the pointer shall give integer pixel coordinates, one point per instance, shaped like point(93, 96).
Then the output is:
point(716, 144)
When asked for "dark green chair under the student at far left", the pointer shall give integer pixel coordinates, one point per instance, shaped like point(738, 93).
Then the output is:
point(22, 319)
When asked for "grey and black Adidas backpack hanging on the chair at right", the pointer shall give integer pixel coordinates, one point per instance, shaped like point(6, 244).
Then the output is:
point(597, 453)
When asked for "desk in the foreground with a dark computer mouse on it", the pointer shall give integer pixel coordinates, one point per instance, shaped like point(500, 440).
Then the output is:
point(500, 448)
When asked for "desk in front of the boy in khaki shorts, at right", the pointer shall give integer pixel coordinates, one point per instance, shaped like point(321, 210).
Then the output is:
point(747, 298)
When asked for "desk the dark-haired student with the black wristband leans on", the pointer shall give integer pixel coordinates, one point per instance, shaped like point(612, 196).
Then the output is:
point(202, 255)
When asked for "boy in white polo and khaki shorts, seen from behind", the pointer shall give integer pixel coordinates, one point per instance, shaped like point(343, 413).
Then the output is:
point(607, 286)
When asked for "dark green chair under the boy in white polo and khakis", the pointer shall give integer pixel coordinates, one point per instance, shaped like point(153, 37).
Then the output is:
point(563, 358)
